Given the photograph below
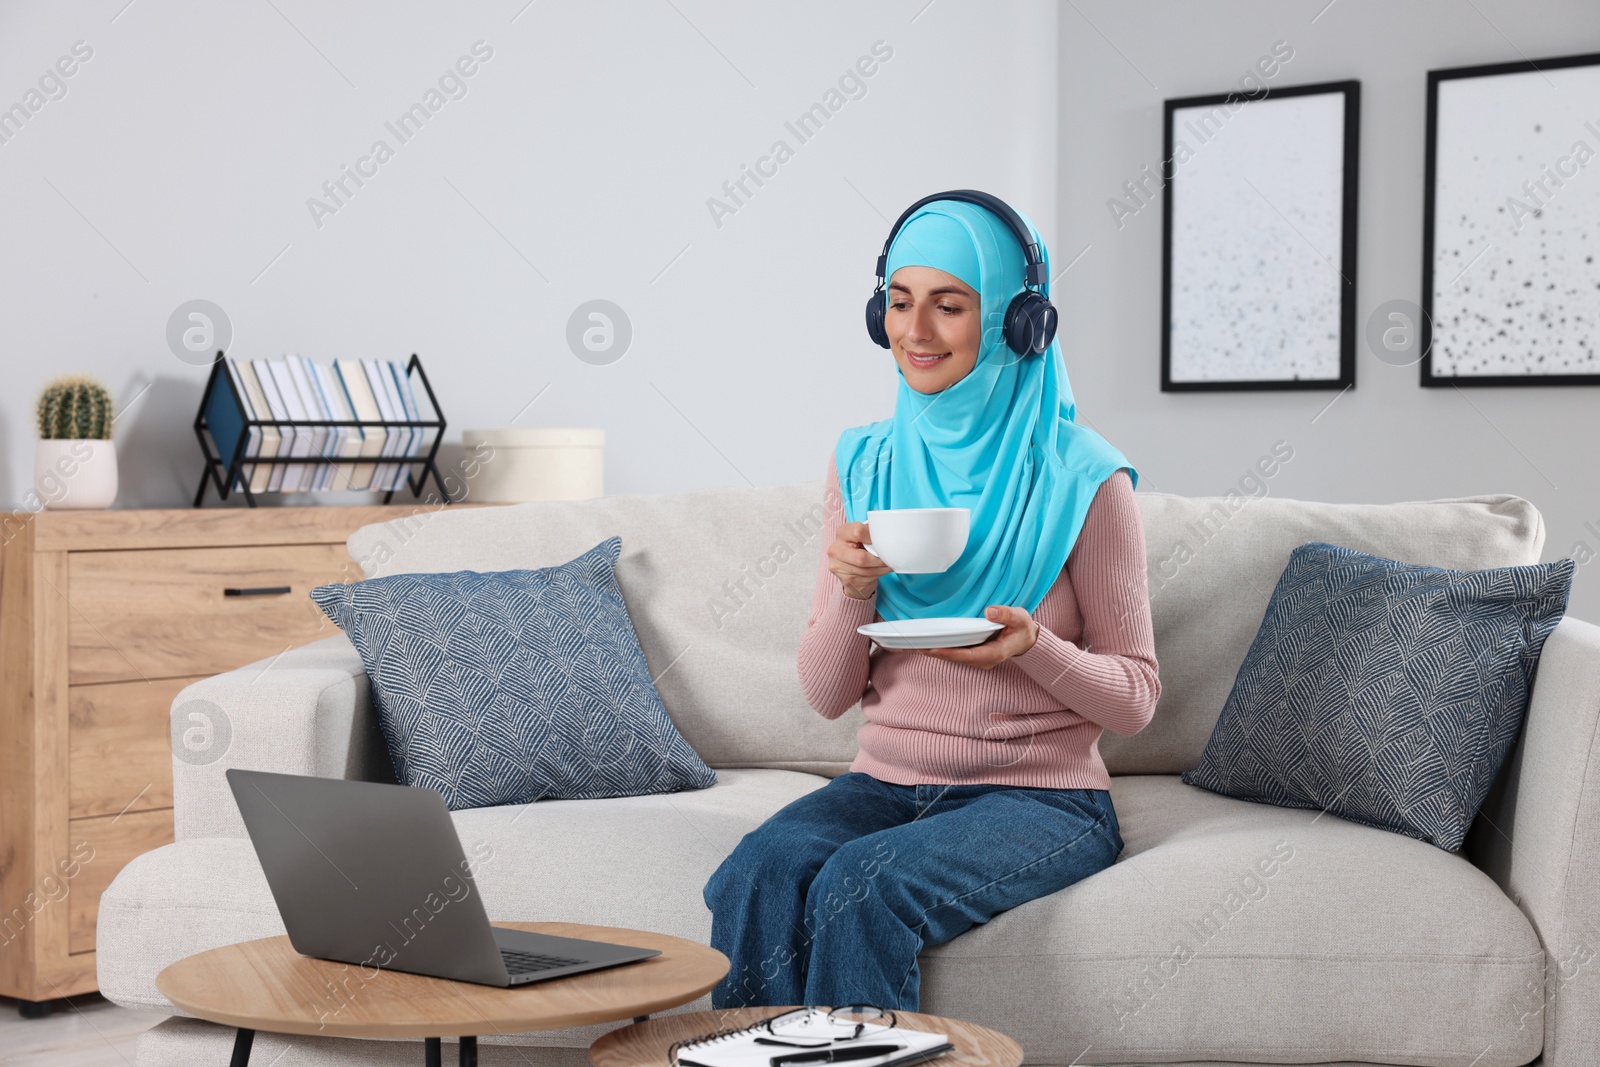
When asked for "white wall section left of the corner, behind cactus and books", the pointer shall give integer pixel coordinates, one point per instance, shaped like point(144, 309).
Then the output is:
point(180, 162)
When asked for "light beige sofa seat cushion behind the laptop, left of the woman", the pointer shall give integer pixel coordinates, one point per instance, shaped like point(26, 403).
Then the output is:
point(642, 860)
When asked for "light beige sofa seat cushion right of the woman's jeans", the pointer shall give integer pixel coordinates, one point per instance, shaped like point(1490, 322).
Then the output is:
point(1239, 932)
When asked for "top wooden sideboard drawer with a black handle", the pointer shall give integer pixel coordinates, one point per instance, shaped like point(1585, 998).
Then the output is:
point(169, 613)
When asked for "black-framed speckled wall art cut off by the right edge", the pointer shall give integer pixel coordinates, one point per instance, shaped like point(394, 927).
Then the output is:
point(1511, 218)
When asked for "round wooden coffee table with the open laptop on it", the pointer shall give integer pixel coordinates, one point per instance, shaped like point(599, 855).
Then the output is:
point(268, 986)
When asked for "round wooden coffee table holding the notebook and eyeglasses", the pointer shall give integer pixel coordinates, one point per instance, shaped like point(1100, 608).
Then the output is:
point(646, 1044)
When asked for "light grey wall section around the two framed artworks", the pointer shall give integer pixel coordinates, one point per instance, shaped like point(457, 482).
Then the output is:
point(1388, 439)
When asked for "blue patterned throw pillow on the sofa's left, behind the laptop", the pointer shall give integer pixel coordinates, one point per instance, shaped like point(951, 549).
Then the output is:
point(510, 687)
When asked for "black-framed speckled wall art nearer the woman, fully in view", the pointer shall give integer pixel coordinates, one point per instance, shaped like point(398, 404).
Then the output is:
point(1258, 239)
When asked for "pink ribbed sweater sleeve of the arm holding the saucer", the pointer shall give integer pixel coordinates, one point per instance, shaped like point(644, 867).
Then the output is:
point(1118, 684)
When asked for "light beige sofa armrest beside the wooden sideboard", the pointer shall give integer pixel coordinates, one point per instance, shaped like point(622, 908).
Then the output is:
point(305, 713)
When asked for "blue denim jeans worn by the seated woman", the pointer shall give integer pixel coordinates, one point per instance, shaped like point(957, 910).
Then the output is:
point(831, 900)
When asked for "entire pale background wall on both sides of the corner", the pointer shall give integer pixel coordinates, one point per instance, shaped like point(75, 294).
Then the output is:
point(180, 162)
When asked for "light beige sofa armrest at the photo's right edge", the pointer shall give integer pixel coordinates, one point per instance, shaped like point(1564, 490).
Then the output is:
point(1538, 836)
